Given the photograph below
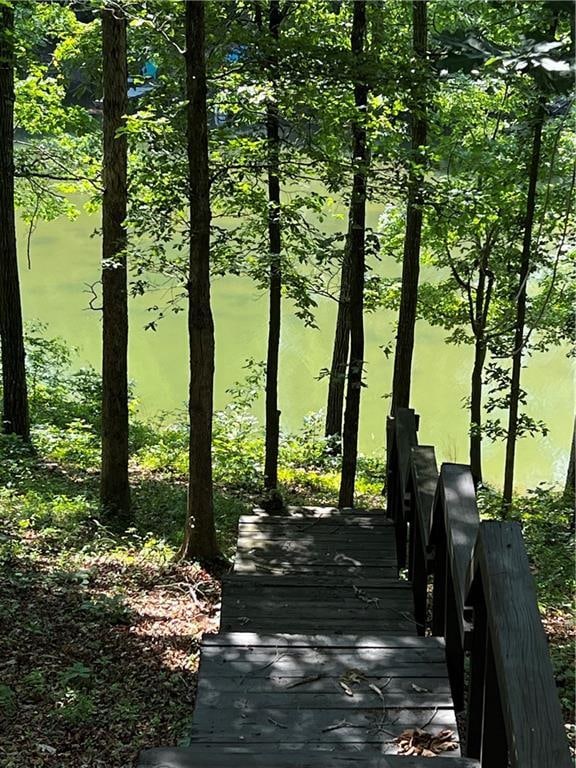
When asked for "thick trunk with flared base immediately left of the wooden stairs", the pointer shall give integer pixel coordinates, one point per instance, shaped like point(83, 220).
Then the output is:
point(200, 532)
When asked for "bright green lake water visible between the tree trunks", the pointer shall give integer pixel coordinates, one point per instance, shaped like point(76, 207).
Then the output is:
point(65, 258)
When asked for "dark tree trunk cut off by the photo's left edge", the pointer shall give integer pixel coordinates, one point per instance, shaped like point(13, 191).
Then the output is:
point(15, 417)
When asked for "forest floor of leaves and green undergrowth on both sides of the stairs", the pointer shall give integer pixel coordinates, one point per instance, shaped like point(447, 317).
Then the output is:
point(100, 633)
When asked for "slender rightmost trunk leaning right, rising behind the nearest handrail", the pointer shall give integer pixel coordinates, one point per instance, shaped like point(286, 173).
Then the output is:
point(512, 431)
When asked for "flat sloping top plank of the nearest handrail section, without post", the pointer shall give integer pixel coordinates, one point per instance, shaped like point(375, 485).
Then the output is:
point(534, 725)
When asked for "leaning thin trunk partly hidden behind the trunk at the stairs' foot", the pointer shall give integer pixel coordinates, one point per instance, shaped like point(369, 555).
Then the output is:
point(337, 382)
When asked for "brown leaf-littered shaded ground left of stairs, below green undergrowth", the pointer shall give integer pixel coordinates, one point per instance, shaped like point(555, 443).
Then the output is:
point(98, 656)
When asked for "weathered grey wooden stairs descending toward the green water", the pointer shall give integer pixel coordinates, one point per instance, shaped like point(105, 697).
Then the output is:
point(318, 662)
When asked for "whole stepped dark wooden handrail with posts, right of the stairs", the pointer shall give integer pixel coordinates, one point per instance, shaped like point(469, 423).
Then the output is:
point(484, 604)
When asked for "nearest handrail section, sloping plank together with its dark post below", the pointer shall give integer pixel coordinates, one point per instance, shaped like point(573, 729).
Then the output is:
point(512, 648)
